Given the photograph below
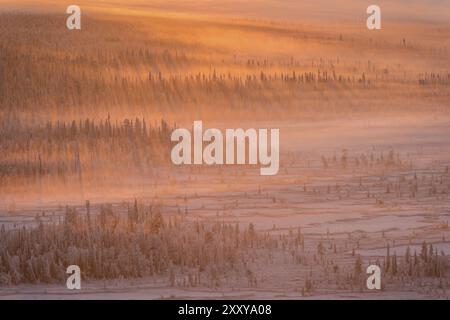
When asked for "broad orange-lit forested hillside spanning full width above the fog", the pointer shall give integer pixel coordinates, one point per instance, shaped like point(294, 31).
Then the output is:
point(117, 68)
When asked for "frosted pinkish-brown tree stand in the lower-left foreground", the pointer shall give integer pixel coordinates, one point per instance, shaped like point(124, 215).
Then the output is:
point(111, 245)
